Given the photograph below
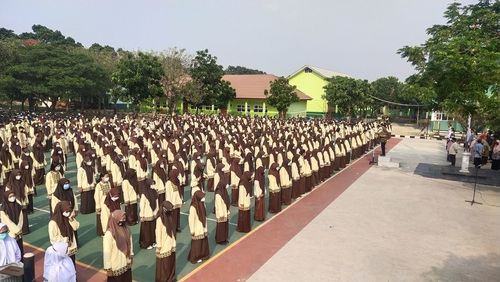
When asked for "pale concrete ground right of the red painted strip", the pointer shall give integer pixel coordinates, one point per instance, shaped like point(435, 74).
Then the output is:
point(398, 225)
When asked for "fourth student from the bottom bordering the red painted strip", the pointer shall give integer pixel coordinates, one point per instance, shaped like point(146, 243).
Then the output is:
point(245, 189)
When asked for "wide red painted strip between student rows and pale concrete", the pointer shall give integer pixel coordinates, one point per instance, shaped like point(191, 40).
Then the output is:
point(248, 255)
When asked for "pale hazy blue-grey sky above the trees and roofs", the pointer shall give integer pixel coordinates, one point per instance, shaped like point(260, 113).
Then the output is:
point(355, 37)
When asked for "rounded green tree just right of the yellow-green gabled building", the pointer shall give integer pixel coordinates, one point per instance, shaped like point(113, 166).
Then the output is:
point(348, 94)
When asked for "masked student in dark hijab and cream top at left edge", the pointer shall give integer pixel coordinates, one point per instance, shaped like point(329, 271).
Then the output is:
point(11, 214)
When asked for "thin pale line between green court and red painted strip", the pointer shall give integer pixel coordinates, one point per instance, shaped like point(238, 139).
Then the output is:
point(205, 263)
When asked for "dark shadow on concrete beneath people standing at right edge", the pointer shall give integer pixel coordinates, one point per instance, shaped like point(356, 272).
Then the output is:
point(484, 176)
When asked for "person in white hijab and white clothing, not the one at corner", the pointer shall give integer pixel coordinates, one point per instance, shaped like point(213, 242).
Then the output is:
point(57, 265)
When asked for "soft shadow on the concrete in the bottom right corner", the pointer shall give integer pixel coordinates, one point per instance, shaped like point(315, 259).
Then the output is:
point(472, 268)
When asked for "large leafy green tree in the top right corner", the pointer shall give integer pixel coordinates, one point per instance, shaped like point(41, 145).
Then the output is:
point(460, 59)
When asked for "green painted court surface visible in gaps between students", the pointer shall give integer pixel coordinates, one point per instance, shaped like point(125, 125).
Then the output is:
point(90, 245)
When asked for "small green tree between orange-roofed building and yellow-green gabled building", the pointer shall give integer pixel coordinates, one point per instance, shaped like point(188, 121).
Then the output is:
point(281, 95)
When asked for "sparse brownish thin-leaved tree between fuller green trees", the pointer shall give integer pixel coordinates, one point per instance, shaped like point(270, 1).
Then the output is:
point(175, 63)
